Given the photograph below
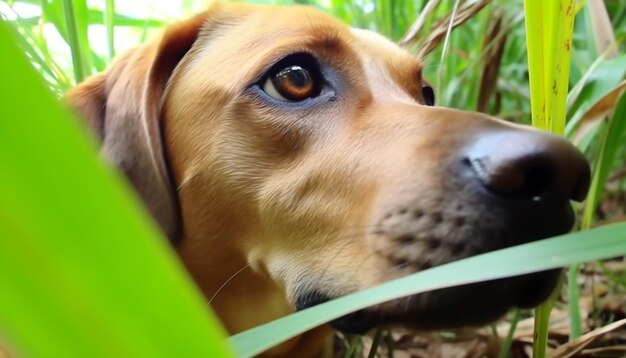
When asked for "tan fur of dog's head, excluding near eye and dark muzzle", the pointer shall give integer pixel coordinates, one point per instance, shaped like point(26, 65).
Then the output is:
point(260, 200)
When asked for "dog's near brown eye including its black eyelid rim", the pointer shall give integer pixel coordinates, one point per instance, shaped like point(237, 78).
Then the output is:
point(293, 79)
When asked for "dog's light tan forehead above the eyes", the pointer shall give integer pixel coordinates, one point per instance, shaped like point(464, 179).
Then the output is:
point(241, 41)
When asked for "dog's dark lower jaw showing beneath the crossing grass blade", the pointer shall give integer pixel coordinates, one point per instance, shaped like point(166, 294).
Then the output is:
point(464, 306)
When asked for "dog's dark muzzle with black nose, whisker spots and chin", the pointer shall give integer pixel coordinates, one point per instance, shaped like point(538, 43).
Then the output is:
point(504, 187)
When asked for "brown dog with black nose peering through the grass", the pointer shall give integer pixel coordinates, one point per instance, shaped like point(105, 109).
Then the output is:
point(292, 160)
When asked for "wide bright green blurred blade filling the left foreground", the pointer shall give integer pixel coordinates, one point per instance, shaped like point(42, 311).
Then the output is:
point(83, 272)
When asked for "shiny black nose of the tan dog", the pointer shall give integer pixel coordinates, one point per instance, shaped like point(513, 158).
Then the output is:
point(529, 164)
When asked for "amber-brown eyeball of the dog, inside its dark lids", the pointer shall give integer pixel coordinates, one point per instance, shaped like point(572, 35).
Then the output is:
point(292, 83)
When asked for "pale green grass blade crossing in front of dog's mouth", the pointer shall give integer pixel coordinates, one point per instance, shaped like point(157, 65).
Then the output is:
point(595, 244)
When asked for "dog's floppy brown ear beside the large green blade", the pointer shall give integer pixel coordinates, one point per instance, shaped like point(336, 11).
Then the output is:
point(122, 106)
